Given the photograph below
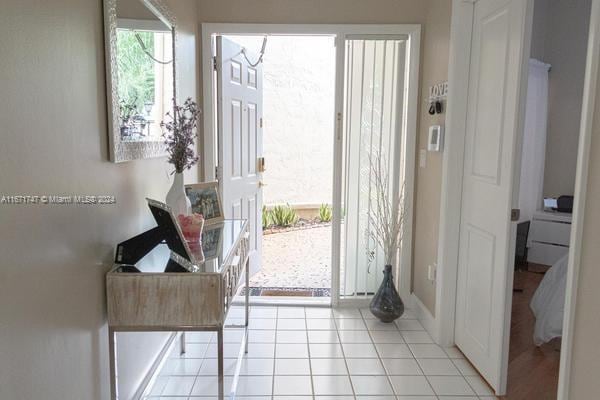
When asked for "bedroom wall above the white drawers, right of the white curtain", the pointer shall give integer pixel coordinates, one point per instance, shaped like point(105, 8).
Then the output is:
point(560, 38)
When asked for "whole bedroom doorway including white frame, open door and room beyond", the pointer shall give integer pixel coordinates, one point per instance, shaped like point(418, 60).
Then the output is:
point(489, 65)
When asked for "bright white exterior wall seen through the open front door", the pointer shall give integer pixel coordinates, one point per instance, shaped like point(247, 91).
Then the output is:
point(299, 89)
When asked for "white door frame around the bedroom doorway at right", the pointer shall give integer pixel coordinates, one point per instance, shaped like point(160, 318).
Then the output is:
point(451, 190)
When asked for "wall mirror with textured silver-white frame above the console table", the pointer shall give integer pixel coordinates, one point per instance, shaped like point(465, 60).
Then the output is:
point(140, 41)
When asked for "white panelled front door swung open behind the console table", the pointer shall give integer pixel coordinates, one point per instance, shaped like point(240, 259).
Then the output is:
point(239, 108)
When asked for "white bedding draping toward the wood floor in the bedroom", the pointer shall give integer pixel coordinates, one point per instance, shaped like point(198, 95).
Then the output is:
point(548, 303)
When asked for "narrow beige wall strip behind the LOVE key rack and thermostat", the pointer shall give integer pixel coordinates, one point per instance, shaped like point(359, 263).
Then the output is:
point(434, 69)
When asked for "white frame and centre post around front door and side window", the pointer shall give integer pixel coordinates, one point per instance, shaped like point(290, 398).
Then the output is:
point(339, 31)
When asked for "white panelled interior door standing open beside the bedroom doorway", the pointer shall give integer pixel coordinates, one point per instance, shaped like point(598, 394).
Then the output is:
point(486, 252)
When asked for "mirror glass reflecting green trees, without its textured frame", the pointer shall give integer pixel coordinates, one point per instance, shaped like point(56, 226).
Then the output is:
point(144, 58)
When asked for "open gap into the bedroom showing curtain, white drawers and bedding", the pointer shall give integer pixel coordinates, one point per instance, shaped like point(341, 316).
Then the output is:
point(553, 109)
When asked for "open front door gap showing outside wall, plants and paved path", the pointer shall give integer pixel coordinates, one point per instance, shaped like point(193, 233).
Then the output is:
point(298, 93)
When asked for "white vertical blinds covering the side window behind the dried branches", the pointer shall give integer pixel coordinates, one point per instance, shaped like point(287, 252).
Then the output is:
point(374, 119)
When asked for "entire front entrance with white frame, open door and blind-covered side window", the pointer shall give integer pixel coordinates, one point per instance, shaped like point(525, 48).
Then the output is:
point(366, 104)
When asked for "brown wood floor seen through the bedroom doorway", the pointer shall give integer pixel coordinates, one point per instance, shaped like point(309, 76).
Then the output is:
point(532, 371)
